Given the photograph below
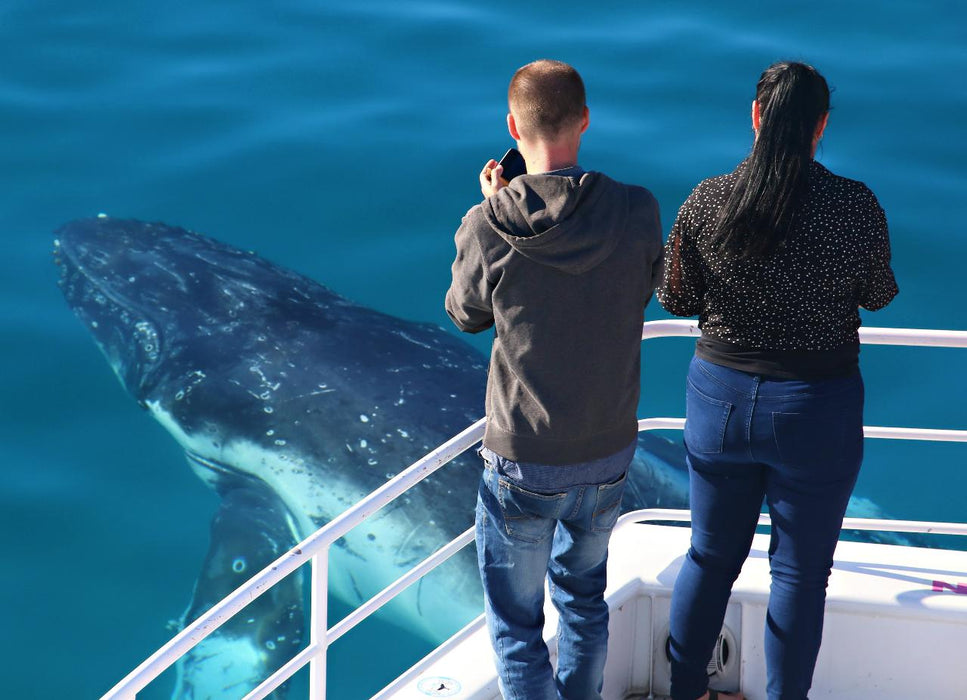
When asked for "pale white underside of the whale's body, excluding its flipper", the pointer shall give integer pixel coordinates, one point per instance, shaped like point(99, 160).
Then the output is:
point(370, 556)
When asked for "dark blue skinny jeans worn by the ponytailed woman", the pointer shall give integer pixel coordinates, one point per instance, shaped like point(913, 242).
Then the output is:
point(799, 445)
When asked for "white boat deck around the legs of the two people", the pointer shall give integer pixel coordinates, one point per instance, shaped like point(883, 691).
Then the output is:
point(895, 628)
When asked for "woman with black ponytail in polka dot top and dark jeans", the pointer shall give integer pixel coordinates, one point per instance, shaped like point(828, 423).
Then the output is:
point(775, 258)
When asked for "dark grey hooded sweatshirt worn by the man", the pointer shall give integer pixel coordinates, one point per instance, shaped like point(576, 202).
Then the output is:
point(562, 264)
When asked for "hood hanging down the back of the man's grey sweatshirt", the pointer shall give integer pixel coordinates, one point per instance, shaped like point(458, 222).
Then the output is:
point(568, 222)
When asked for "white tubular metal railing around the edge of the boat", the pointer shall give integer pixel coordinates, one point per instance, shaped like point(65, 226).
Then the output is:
point(315, 548)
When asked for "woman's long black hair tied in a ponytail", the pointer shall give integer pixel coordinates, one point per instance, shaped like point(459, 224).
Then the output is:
point(772, 186)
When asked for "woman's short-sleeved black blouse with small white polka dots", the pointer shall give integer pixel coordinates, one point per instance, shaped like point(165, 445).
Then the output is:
point(805, 296)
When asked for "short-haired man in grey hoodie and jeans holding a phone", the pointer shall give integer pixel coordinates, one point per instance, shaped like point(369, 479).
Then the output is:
point(562, 263)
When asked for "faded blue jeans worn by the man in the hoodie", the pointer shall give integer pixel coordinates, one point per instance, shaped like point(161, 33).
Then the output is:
point(528, 532)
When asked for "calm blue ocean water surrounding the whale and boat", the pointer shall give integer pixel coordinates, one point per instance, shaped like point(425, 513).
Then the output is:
point(343, 140)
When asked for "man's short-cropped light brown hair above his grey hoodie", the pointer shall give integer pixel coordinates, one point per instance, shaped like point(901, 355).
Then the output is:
point(546, 97)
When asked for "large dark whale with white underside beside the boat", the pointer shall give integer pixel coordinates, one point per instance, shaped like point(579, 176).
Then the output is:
point(292, 403)
